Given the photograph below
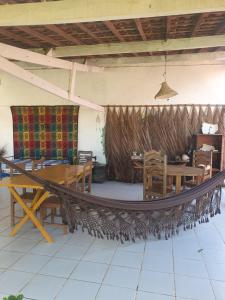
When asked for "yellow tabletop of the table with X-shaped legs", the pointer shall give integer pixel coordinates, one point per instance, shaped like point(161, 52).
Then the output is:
point(54, 173)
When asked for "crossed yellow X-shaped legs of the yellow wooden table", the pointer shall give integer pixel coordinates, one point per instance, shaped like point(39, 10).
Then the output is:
point(30, 213)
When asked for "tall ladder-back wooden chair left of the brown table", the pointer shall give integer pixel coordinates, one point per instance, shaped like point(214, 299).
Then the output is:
point(155, 176)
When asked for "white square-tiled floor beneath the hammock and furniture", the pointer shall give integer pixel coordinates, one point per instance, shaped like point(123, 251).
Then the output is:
point(80, 267)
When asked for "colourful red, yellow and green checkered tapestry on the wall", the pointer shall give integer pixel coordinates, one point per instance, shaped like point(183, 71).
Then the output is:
point(45, 131)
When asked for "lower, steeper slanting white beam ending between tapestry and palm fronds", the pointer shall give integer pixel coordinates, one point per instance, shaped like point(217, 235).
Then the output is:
point(15, 70)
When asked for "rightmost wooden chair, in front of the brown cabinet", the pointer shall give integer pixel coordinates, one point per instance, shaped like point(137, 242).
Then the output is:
point(201, 159)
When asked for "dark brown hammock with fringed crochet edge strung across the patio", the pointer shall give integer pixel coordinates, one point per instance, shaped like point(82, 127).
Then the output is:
point(127, 220)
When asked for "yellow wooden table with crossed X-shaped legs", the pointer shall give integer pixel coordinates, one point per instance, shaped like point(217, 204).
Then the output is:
point(53, 173)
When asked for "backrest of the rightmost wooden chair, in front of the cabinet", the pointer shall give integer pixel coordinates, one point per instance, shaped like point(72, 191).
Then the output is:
point(203, 159)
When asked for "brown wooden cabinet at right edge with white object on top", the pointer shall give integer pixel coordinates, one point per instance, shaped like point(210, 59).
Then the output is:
point(216, 140)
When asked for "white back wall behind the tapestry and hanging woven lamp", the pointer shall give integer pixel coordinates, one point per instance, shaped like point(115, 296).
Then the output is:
point(197, 83)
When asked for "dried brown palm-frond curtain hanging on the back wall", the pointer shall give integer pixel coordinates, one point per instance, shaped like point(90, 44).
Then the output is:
point(166, 128)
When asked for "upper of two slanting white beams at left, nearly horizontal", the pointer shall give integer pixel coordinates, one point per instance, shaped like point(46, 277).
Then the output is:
point(16, 53)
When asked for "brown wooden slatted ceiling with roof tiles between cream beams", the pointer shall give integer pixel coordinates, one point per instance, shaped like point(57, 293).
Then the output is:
point(103, 32)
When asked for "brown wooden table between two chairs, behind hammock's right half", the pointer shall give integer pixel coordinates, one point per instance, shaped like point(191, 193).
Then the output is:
point(181, 171)
